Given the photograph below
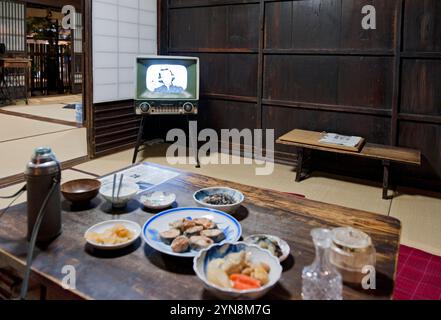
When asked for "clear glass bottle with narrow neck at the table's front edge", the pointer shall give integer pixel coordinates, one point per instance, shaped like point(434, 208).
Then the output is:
point(321, 281)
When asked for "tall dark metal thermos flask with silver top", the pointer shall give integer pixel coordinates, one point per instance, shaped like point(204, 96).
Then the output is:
point(41, 173)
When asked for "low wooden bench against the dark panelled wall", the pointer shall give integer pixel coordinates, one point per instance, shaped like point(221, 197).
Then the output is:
point(386, 154)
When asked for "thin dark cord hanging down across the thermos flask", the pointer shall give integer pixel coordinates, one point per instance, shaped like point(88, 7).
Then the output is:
point(40, 216)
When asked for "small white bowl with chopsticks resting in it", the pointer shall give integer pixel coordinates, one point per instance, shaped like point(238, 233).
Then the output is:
point(128, 191)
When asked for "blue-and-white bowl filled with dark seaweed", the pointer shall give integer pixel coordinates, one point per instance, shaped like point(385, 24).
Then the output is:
point(221, 198)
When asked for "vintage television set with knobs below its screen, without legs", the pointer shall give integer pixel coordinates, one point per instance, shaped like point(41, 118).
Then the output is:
point(166, 85)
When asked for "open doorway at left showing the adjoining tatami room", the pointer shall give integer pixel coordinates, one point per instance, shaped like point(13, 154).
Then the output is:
point(41, 84)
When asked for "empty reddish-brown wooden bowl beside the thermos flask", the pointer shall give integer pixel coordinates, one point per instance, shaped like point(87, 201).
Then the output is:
point(80, 190)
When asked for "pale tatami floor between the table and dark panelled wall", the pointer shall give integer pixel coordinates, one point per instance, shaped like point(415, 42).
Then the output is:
point(420, 215)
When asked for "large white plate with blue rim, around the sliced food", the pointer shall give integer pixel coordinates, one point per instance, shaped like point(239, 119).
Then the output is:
point(160, 222)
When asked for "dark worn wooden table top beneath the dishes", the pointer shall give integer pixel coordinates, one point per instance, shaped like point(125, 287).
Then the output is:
point(140, 272)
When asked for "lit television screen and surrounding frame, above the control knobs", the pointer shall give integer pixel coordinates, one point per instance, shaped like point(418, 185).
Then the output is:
point(167, 78)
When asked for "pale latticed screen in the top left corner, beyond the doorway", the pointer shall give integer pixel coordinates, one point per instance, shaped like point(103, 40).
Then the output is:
point(12, 26)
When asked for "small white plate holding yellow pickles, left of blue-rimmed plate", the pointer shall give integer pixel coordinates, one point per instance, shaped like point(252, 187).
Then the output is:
point(103, 226)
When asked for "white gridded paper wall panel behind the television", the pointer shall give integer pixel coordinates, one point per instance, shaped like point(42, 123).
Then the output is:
point(121, 30)
